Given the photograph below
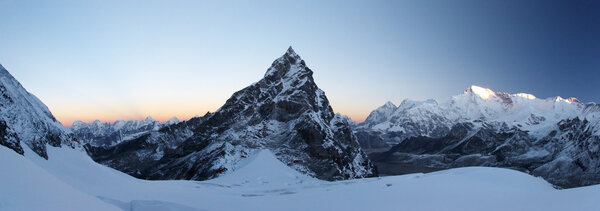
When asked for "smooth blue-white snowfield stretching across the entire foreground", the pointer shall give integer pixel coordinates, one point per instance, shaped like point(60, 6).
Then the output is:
point(70, 180)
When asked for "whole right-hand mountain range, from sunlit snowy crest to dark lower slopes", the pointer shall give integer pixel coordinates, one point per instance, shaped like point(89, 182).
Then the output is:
point(555, 138)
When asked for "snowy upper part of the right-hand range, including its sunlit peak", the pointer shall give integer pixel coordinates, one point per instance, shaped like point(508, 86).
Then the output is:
point(477, 103)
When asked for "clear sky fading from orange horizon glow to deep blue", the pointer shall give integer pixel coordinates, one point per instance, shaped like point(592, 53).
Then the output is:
point(113, 60)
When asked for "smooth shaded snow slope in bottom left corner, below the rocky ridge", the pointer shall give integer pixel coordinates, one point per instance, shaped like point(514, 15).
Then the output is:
point(26, 186)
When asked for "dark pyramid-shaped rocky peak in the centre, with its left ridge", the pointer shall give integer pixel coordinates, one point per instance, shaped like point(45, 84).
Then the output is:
point(284, 112)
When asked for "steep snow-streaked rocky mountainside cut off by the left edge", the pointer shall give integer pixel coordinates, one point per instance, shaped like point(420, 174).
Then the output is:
point(24, 119)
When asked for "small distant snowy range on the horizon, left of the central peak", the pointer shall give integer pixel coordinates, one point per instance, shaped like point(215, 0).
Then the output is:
point(104, 134)
